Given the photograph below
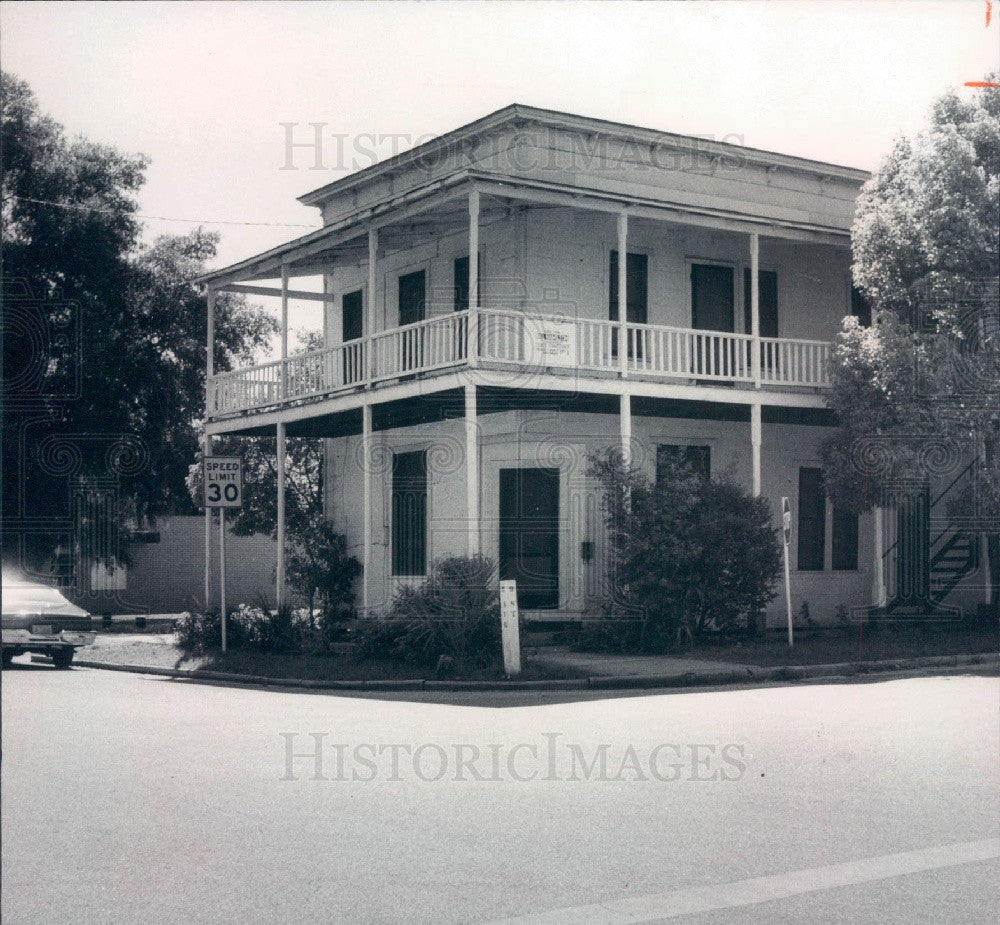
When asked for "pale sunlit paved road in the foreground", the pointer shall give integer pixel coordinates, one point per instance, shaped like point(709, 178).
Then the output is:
point(139, 799)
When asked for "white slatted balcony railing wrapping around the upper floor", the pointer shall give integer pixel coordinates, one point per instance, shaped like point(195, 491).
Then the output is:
point(502, 338)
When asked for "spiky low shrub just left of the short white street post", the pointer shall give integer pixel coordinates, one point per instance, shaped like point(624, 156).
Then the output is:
point(455, 612)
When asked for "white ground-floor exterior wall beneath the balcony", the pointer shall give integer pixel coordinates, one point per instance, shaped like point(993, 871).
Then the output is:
point(565, 440)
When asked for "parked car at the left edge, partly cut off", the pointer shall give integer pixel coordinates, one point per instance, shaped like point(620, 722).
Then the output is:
point(37, 618)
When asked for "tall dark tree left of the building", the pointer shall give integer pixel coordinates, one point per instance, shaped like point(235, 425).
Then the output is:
point(103, 337)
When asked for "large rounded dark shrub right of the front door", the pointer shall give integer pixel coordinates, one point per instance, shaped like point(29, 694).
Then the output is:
point(689, 555)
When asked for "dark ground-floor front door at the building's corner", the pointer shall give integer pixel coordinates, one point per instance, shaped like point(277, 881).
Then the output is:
point(529, 535)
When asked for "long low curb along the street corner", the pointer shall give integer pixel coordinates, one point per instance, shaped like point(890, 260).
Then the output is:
point(740, 676)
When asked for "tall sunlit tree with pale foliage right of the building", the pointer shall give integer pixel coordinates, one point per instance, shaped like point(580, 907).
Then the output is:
point(921, 388)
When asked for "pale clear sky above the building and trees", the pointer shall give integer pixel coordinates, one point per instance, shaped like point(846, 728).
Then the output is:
point(204, 88)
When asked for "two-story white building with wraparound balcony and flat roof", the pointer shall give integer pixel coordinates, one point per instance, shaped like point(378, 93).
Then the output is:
point(477, 352)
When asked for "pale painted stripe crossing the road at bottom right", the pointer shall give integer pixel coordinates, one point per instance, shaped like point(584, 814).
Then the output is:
point(762, 889)
